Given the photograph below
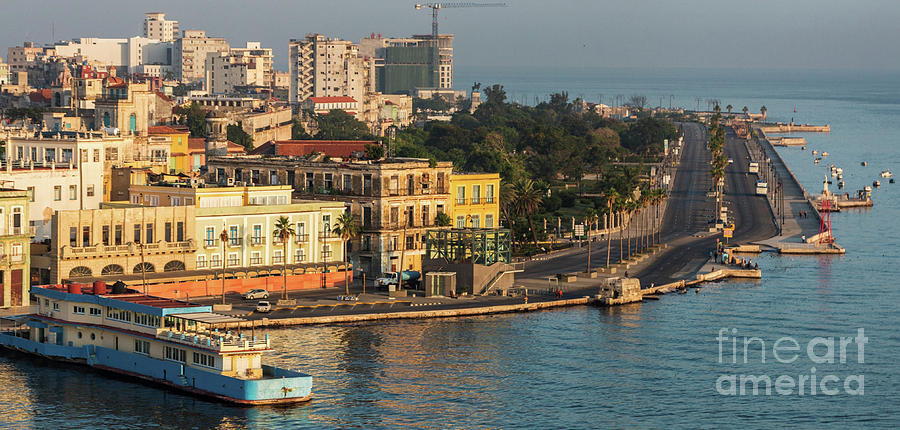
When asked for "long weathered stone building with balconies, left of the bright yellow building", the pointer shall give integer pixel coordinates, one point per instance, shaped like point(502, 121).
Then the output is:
point(394, 200)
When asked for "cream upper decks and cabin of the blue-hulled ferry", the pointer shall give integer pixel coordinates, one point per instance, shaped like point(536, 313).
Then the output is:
point(87, 316)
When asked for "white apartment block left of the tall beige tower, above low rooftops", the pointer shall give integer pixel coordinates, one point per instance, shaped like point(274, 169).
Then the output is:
point(239, 67)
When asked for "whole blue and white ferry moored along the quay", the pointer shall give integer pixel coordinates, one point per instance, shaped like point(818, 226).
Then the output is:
point(175, 343)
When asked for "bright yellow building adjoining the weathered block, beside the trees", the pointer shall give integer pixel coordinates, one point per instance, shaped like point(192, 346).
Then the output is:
point(476, 200)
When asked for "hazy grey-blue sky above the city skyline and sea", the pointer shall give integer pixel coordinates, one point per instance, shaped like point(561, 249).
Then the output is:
point(857, 34)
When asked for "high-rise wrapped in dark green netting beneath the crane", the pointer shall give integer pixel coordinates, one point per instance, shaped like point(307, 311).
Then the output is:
point(405, 64)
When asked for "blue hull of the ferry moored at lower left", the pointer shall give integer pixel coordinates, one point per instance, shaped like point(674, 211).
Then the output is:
point(282, 385)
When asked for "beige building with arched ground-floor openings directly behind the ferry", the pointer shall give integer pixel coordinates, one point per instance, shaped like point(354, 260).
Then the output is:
point(121, 241)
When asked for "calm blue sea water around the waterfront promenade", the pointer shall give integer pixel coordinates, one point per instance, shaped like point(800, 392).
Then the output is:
point(638, 366)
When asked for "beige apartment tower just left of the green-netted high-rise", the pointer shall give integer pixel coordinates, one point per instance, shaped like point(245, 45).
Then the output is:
point(325, 67)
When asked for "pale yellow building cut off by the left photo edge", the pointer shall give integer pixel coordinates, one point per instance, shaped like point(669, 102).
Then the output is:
point(15, 239)
